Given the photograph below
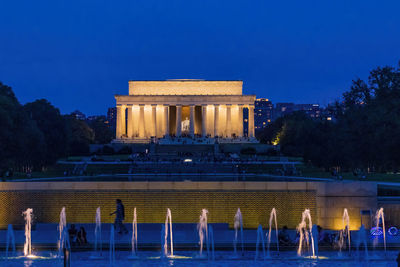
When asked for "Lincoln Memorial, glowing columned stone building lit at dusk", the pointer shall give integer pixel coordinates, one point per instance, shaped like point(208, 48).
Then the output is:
point(184, 108)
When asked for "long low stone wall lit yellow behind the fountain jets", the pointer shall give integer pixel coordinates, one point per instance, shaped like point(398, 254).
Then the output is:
point(186, 199)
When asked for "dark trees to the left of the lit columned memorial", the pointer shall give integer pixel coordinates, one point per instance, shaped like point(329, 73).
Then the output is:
point(33, 136)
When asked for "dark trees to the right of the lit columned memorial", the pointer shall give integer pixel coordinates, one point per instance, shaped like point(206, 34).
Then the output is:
point(364, 132)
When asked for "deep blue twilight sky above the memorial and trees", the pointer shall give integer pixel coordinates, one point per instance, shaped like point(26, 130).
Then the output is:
point(79, 53)
